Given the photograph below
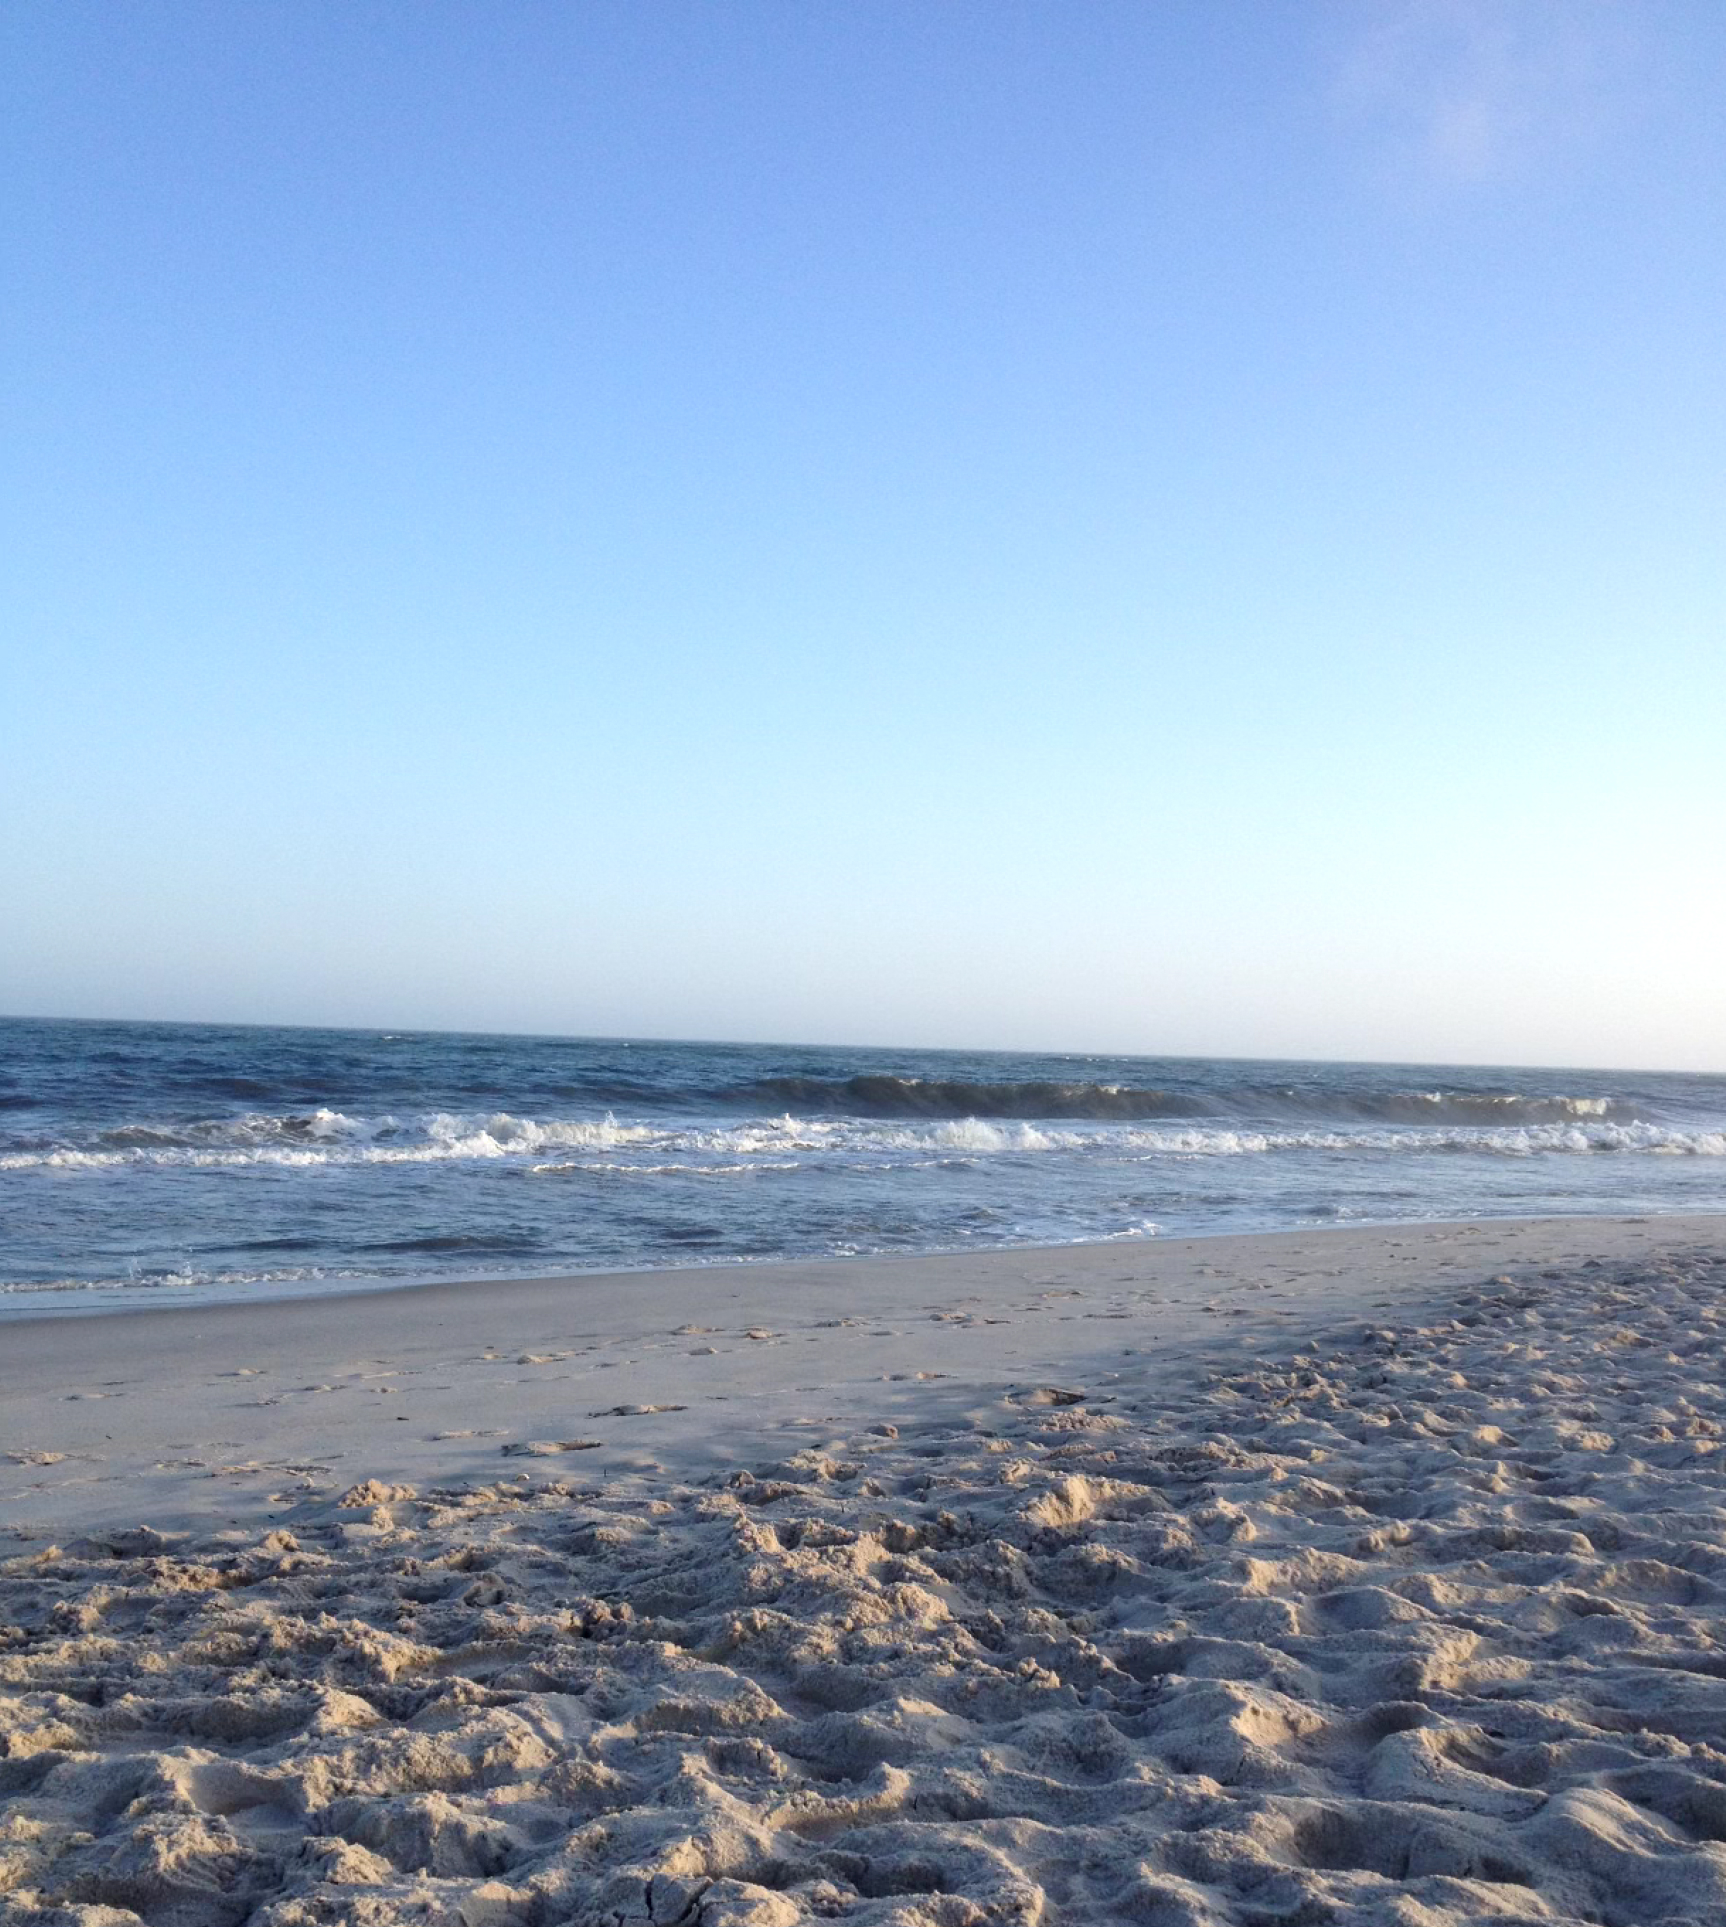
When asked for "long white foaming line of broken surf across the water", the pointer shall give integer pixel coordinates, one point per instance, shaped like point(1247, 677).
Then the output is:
point(334, 1138)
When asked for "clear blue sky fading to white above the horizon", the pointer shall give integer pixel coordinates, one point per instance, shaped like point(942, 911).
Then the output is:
point(1116, 527)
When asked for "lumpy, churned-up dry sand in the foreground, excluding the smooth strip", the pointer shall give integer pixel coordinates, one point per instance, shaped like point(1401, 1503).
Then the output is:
point(1411, 1627)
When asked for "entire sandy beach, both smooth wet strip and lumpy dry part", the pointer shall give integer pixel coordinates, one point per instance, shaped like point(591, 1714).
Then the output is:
point(1322, 1577)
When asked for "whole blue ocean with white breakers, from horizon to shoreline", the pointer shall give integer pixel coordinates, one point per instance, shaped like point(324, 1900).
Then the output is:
point(147, 1161)
